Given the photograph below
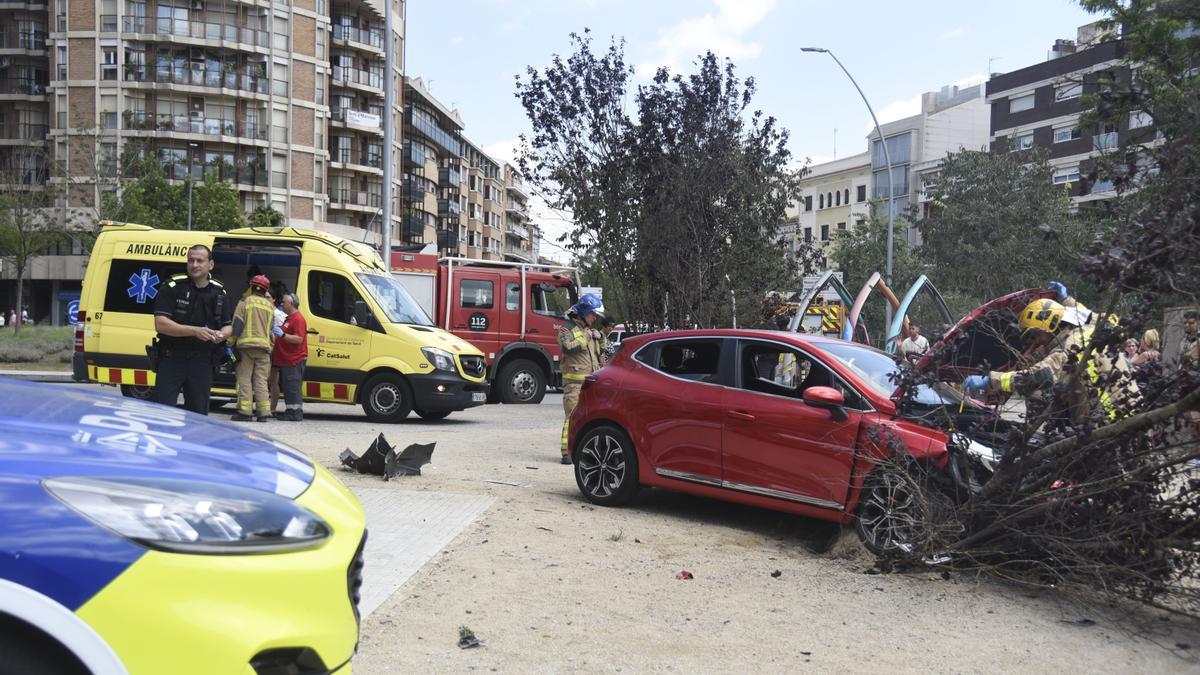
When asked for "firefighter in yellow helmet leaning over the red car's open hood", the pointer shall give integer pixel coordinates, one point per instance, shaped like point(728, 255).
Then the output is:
point(1063, 333)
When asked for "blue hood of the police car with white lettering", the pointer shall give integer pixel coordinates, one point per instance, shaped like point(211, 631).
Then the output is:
point(62, 431)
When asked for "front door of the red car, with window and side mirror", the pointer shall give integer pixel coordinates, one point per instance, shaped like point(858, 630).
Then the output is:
point(775, 444)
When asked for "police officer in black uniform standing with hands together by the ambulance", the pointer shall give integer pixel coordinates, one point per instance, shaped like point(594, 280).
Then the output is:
point(194, 319)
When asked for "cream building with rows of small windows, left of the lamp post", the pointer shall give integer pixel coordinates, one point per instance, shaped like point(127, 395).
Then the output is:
point(833, 198)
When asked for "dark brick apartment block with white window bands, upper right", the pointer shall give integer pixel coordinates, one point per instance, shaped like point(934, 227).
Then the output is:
point(1041, 106)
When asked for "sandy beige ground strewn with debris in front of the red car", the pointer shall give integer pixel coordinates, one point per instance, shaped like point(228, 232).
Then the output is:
point(550, 583)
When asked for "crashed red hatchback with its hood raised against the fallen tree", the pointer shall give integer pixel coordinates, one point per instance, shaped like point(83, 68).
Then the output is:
point(790, 422)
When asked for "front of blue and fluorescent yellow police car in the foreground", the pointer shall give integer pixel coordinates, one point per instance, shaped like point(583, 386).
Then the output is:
point(143, 539)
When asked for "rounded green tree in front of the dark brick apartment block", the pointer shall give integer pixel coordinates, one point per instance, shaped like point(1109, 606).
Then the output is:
point(1001, 225)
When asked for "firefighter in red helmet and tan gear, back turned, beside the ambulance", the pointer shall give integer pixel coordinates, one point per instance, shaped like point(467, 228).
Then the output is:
point(254, 333)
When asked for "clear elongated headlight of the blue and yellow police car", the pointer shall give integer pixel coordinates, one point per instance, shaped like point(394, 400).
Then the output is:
point(190, 516)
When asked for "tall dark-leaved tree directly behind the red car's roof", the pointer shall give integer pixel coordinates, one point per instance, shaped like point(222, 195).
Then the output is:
point(680, 201)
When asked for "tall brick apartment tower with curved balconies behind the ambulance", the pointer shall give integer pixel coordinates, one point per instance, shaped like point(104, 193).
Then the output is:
point(285, 100)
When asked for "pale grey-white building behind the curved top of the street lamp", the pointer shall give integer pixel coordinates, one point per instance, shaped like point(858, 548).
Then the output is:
point(952, 120)
